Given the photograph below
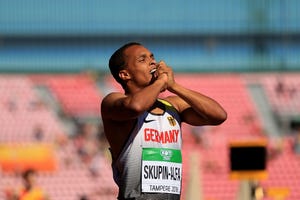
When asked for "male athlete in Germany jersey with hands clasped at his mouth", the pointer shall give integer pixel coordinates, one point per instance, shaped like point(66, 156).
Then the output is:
point(144, 131)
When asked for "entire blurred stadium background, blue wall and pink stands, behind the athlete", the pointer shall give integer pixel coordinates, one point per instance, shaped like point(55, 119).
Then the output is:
point(54, 73)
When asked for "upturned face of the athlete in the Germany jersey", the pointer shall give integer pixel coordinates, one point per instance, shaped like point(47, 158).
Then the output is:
point(139, 63)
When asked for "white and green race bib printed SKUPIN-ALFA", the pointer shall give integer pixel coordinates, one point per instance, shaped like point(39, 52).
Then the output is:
point(161, 170)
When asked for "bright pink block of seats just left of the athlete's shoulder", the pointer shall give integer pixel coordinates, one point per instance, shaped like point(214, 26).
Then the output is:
point(77, 93)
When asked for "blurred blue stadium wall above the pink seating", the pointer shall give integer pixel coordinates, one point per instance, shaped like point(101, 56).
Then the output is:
point(74, 35)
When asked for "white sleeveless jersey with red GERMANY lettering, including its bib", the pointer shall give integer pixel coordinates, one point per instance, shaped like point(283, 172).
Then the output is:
point(150, 161)
